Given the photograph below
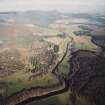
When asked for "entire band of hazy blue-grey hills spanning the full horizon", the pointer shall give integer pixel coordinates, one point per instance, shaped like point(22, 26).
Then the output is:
point(44, 18)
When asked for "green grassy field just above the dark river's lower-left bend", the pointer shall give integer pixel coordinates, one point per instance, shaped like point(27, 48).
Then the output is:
point(20, 80)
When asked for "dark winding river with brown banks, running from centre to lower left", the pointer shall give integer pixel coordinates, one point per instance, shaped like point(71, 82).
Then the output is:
point(36, 93)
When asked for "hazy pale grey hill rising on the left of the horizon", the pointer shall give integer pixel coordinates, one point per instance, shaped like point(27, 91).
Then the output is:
point(42, 18)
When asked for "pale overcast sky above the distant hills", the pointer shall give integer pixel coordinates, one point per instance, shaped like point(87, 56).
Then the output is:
point(61, 5)
